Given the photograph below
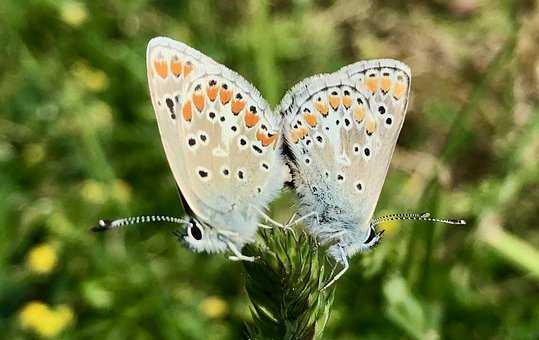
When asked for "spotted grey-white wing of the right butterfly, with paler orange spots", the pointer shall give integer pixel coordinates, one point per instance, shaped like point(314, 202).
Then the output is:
point(341, 130)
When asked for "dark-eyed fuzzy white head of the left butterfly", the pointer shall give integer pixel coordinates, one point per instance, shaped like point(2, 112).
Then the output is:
point(199, 236)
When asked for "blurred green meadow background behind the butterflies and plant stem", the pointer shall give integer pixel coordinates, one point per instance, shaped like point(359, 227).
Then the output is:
point(79, 141)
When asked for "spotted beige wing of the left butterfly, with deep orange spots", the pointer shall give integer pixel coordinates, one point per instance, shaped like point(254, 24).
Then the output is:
point(220, 137)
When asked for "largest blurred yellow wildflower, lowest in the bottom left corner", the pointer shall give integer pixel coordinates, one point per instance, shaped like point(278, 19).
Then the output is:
point(43, 320)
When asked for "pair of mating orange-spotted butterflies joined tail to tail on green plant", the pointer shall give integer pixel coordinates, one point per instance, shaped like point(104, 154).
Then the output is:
point(230, 155)
